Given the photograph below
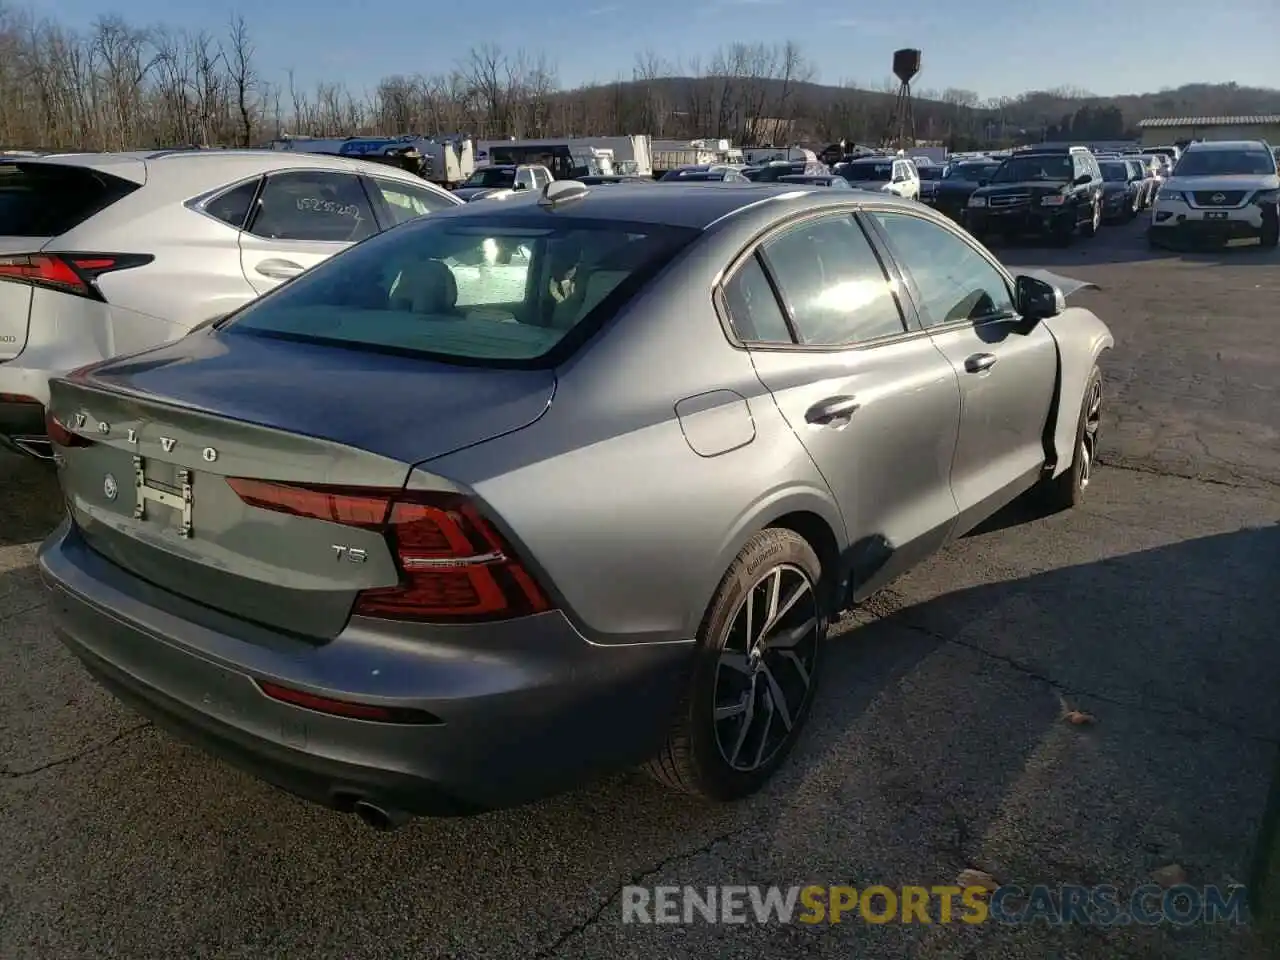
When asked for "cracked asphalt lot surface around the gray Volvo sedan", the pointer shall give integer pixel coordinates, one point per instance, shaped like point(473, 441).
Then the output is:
point(938, 744)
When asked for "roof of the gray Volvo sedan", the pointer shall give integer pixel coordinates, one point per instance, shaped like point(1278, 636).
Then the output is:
point(691, 205)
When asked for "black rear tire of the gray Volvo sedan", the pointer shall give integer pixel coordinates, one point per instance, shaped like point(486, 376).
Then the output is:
point(694, 757)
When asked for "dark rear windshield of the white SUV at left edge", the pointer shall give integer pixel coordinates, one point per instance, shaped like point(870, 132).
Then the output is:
point(47, 200)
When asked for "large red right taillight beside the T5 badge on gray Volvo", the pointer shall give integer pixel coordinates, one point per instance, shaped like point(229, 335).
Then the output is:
point(455, 568)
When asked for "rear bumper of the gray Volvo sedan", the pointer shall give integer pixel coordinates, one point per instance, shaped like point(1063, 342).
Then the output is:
point(514, 712)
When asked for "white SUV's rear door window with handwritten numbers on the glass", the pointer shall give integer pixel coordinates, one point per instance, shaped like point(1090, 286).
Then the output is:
point(314, 205)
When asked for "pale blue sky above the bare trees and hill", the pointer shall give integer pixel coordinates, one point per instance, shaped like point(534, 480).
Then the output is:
point(996, 48)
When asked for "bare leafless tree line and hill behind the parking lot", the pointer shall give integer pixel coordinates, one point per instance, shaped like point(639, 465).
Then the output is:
point(117, 86)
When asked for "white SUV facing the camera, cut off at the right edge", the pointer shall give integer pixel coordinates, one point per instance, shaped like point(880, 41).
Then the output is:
point(1220, 191)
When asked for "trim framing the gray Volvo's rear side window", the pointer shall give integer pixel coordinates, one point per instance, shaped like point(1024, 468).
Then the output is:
point(755, 249)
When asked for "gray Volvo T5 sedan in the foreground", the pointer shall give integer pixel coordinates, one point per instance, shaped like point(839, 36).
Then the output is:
point(548, 486)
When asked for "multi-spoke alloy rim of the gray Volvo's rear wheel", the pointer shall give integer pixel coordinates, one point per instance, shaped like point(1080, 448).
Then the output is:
point(765, 674)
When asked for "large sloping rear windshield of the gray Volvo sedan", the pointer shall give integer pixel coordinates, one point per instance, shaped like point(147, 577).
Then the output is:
point(499, 291)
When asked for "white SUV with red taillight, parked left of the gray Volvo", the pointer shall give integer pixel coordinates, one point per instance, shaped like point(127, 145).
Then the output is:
point(109, 254)
